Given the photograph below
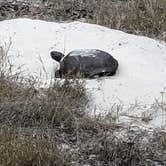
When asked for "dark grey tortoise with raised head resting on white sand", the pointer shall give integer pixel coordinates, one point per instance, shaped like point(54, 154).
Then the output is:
point(85, 63)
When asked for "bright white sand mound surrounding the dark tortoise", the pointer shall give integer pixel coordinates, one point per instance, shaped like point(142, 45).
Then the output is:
point(142, 61)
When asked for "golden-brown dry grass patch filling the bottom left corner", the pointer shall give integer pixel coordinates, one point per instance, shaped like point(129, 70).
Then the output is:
point(18, 149)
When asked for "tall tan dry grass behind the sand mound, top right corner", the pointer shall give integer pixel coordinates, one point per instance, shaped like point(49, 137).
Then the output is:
point(145, 17)
